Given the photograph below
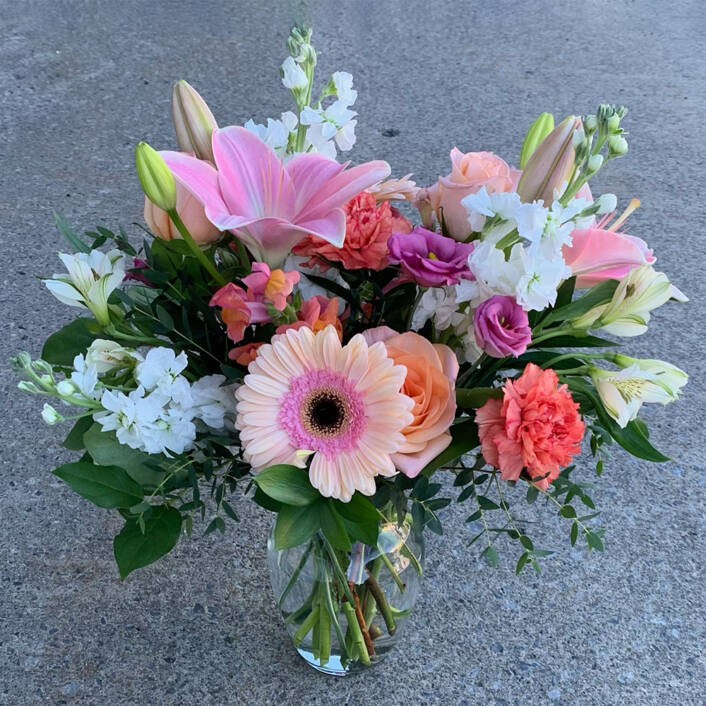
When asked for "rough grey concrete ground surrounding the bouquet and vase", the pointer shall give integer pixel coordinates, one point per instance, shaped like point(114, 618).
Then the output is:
point(81, 83)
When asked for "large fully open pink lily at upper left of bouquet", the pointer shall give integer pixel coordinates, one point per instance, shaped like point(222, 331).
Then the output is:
point(270, 205)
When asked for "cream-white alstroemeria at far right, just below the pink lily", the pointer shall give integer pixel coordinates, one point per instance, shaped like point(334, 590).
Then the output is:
point(628, 313)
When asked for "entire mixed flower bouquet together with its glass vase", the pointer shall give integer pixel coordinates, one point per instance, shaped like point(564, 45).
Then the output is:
point(287, 331)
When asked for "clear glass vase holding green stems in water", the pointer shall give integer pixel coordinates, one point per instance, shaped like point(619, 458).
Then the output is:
point(345, 610)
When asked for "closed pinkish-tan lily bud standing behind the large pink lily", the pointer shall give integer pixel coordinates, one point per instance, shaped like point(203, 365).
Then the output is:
point(193, 121)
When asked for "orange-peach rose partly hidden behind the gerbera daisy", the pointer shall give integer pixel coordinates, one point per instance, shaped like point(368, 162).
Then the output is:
point(430, 382)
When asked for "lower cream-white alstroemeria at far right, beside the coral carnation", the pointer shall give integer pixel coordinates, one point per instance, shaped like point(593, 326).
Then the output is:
point(623, 392)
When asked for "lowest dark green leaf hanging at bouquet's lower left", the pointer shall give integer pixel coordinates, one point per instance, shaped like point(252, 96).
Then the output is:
point(134, 549)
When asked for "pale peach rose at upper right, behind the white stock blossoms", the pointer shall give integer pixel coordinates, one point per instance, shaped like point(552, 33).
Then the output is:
point(469, 172)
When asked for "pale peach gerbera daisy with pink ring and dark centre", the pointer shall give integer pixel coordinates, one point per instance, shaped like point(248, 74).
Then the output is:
point(307, 392)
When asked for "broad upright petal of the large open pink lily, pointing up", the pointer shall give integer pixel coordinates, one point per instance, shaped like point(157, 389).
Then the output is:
point(252, 179)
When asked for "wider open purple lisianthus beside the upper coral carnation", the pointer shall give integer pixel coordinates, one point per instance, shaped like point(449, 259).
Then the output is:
point(430, 259)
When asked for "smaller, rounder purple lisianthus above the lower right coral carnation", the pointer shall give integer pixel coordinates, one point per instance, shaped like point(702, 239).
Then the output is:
point(502, 327)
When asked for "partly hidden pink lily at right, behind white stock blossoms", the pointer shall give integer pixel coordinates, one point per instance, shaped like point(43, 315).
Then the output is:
point(596, 254)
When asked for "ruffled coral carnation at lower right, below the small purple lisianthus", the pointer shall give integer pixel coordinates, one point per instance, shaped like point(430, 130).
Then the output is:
point(535, 426)
